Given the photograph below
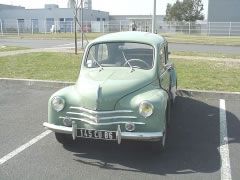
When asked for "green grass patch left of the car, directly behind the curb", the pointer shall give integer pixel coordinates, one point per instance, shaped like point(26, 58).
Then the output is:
point(44, 66)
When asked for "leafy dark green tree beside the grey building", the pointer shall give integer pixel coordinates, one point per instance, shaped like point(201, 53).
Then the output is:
point(186, 10)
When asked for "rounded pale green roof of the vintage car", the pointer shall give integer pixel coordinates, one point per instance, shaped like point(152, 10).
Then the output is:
point(131, 36)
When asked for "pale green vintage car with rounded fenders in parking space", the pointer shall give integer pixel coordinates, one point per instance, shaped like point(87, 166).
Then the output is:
point(125, 91)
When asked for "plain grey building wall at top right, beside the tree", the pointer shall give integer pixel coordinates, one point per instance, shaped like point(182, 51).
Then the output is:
point(224, 11)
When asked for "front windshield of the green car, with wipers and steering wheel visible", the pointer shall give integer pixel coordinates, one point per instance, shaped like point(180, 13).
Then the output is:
point(120, 54)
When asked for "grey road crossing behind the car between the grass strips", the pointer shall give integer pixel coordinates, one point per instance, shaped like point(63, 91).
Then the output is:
point(70, 44)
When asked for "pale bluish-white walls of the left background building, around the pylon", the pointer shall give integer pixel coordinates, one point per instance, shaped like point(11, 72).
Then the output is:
point(42, 20)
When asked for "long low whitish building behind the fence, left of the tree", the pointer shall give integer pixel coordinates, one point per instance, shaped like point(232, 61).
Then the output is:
point(51, 18)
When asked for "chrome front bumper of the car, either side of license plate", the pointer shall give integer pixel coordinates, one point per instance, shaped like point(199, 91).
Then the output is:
point(138, 136)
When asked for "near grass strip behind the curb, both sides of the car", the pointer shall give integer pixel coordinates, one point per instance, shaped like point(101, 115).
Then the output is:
point(194, 74)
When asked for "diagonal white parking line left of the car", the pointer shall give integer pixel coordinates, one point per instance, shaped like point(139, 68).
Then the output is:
point(23, 147)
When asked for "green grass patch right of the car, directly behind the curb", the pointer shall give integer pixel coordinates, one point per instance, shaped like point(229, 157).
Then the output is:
point(208, 75)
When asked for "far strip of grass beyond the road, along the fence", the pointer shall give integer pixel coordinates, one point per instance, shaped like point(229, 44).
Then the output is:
point(174, 38)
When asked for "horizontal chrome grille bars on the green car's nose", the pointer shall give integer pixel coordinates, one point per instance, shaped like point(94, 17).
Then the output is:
point(101, 117)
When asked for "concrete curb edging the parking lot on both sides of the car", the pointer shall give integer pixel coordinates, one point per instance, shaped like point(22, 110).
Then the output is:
point(61, 84)
